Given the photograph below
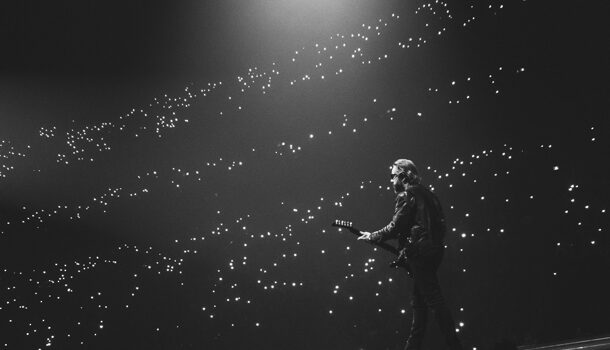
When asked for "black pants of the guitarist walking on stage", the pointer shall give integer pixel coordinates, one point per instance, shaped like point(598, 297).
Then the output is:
point(427, 295)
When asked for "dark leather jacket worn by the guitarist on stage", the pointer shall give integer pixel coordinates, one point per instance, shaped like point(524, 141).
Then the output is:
point(418, 217)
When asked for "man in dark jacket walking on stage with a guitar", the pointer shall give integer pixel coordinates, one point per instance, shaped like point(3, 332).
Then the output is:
point(419, 226)
